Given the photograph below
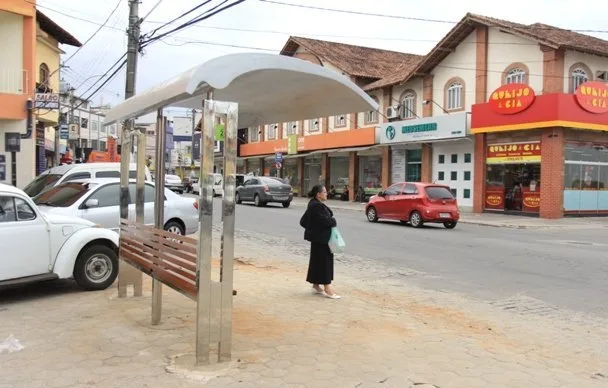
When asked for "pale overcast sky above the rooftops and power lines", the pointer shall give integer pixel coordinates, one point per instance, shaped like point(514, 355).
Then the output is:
point(269, 25)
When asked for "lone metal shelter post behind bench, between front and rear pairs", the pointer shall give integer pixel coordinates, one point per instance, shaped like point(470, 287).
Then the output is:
point(159, 207)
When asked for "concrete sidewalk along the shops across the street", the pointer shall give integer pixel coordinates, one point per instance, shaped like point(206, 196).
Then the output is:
point(495, 220)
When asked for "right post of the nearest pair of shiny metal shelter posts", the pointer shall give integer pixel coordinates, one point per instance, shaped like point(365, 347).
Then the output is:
point(228, 215)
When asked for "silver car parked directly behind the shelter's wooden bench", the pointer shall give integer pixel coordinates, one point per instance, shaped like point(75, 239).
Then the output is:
point(98, 200)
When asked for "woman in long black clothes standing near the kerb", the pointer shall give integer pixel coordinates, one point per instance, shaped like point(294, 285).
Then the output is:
point(318, 221)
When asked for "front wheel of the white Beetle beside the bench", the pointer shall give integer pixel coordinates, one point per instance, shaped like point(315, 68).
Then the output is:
point(96, 268)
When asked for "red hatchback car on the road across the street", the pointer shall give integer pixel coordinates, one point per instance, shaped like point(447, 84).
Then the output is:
point(415, 203)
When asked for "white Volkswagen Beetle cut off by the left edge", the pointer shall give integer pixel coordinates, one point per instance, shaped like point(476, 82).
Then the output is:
point(37, 247)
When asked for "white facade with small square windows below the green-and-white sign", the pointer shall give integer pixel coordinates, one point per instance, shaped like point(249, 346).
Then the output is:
point(447, 149)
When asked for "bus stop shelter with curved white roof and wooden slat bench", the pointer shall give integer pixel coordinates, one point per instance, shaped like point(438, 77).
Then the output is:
point(241, 91)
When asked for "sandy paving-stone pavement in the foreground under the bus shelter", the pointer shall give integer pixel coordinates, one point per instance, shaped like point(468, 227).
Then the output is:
point(379, 335)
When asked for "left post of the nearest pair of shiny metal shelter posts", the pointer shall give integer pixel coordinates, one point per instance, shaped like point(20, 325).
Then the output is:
point(203, 265)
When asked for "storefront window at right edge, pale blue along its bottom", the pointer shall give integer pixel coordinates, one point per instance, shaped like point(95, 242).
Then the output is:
point(586, 178)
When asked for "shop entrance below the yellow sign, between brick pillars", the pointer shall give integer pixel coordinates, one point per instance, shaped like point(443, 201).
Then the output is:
point(513, 187)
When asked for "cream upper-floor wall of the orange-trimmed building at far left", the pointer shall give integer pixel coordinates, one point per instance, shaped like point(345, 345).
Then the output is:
point(11, 47)
